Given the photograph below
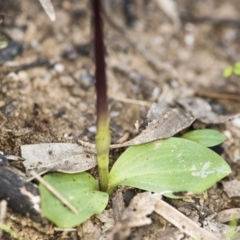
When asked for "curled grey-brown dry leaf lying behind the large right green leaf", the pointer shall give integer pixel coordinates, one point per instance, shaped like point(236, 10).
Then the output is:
point(164, 121)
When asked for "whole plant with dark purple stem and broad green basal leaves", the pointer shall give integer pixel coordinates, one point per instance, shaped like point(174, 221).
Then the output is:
point(169, 166)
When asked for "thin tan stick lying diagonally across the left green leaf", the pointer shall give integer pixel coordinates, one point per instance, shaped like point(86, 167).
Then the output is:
point(54, 192)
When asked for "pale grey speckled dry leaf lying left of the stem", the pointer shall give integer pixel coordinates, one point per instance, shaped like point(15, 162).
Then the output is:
point(60, 157)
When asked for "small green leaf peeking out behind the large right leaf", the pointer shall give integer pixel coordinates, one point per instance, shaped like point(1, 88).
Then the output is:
point(207, 137)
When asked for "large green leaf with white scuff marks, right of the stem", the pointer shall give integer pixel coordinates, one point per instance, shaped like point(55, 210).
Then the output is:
point(166, 166)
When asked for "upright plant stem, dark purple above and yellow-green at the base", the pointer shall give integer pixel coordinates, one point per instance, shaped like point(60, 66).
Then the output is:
point(103, 133)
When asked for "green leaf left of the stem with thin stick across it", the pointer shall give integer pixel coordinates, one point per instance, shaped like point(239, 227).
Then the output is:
point(81, 190)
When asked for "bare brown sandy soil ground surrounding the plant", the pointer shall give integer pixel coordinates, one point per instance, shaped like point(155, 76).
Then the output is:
point(47, 92)
